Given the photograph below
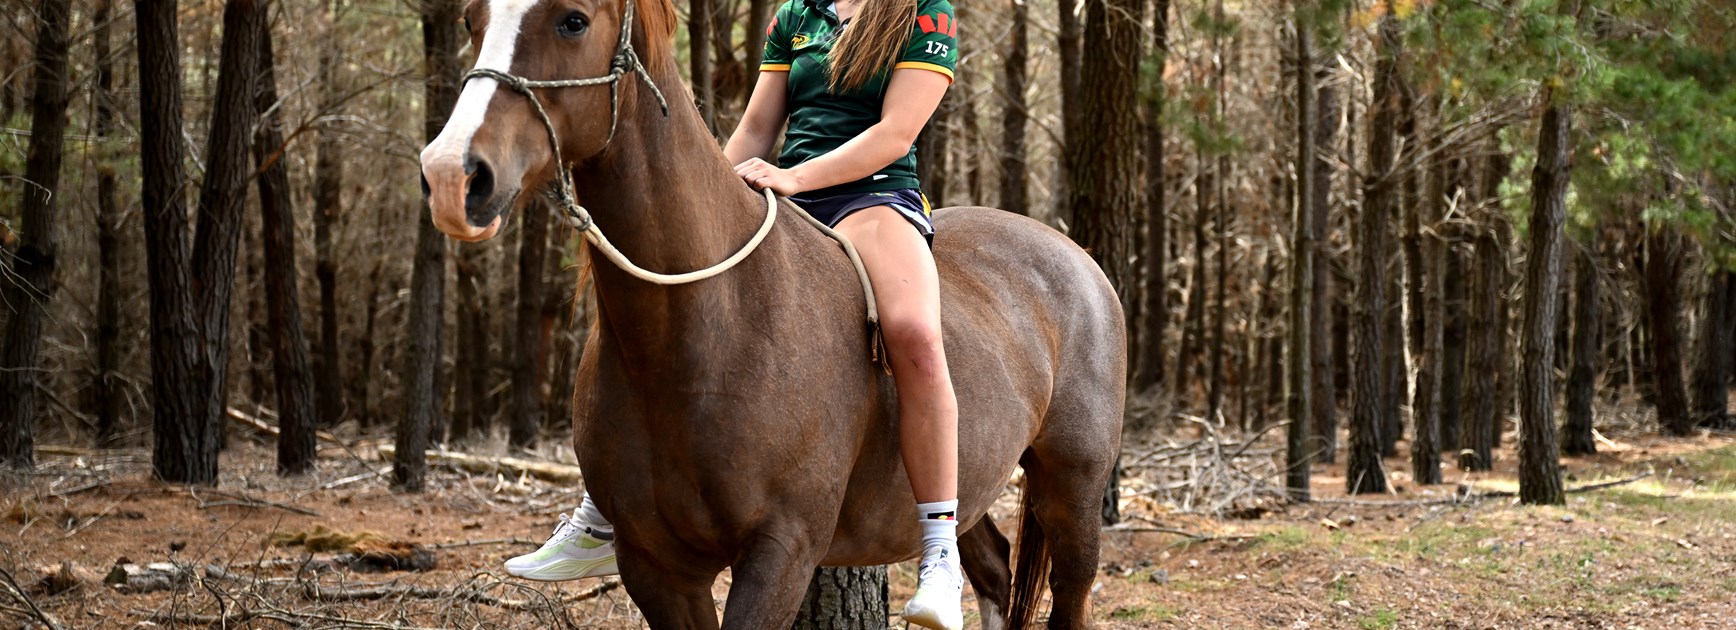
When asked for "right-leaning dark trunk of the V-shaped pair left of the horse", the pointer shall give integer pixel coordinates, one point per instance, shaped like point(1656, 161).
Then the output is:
point(223, 199)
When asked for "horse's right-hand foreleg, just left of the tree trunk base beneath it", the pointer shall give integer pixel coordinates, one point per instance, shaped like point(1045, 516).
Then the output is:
point(768, 584)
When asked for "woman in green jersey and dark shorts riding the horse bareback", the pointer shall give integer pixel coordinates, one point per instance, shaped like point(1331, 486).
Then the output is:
point(857, 81)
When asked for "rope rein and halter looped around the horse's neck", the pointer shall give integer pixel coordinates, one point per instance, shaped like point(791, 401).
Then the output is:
point(624, 63)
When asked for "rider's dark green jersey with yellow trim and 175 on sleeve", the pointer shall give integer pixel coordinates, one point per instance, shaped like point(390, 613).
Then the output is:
point(799, 43)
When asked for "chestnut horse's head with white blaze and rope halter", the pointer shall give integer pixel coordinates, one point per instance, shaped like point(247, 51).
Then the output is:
point(496, 145)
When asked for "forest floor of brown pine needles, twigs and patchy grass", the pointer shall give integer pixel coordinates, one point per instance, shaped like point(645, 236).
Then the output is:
point(1657, 553)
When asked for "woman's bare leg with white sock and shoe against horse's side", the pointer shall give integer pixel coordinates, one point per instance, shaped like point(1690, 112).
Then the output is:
point(909, 294)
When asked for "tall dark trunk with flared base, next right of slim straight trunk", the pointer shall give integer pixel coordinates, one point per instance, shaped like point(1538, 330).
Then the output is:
point(1365, 473)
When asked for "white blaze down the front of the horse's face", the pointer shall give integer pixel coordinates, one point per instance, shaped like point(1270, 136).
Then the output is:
point(454, 141)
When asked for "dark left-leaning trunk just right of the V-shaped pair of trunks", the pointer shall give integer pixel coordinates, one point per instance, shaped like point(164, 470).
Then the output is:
point(294, 376)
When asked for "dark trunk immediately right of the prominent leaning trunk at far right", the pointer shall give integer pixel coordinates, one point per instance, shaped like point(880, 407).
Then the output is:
point(1582, 381)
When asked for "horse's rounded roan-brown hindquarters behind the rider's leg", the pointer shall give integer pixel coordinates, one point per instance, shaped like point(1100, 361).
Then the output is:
point(1025, 303)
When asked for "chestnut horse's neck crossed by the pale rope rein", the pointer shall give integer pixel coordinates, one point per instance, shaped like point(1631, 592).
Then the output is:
point(669, 200)
